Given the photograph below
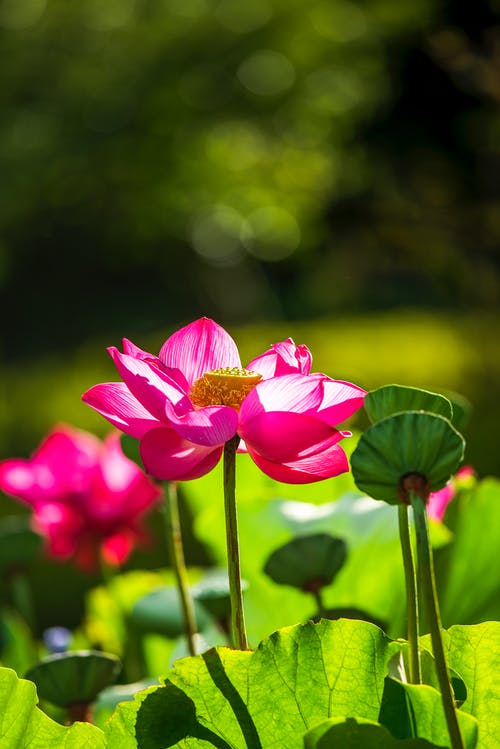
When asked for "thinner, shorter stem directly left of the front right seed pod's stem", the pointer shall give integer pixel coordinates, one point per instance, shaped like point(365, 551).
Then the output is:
point(411, 594)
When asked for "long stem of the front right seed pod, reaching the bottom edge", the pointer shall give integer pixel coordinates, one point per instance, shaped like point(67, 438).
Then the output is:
point(428, 591)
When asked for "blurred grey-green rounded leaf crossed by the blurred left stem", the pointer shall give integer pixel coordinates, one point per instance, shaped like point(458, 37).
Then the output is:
point(160, 612)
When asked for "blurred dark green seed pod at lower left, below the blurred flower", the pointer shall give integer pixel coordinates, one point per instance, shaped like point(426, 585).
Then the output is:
point(75, 677)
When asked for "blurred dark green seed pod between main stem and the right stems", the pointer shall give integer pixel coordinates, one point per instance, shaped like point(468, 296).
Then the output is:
point(307, 562)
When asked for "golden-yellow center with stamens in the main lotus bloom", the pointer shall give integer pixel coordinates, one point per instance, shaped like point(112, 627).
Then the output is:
point(223, 387)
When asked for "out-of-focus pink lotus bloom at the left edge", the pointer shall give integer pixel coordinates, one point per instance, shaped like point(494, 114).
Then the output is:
point(87, 497)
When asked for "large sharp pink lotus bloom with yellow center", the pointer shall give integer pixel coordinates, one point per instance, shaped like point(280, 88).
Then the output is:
point(187, 402)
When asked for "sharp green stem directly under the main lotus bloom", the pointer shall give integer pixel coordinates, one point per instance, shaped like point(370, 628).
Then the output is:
point(233, 552)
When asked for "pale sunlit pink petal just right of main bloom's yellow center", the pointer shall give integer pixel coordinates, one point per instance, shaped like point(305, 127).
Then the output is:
point(295, 392)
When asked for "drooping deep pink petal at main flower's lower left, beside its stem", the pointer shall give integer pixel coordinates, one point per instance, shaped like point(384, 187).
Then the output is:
point(169, 457)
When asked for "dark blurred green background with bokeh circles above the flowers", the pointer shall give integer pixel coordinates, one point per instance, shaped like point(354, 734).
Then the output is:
point(326, 170)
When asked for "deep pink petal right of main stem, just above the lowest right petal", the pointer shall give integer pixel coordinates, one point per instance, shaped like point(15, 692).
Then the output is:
point(283, 436)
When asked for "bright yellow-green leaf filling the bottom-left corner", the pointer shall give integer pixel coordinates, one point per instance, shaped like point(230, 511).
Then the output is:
point(24, 726)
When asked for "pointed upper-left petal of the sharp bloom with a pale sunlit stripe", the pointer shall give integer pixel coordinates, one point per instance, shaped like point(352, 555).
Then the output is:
point(147, 383)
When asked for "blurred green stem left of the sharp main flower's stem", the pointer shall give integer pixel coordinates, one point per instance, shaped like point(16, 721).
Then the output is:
point(174, 539)
